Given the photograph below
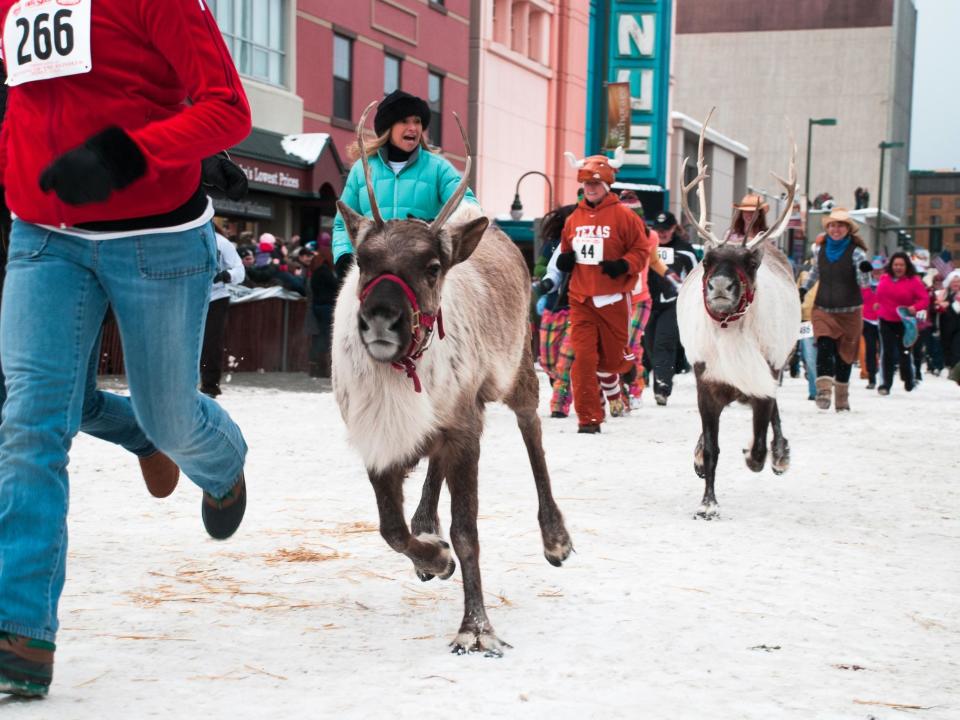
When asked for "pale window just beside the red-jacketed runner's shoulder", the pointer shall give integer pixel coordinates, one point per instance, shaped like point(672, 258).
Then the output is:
point(255, 33)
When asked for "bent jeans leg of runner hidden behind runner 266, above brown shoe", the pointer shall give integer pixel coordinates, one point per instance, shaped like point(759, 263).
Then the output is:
point(105, 415)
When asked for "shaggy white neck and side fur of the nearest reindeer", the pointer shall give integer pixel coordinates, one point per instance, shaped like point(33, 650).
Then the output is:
point(387, 420)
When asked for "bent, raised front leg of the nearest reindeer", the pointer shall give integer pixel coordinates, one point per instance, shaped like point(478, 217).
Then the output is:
point(429, 553)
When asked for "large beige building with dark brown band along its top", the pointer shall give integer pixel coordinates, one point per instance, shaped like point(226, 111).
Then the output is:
point(768, 66)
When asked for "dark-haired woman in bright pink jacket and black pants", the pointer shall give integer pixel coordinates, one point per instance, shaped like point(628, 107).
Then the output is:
point(899, 287)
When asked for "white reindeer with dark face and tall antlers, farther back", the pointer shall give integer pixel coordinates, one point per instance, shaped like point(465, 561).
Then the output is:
point(739, 319)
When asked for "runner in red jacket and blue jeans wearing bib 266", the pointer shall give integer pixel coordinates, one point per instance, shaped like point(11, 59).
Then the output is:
point(100, 161)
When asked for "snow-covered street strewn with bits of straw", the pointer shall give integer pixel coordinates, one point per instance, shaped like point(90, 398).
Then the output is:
point(829, 592)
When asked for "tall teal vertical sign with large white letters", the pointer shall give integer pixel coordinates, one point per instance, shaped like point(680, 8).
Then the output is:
point(638, 54)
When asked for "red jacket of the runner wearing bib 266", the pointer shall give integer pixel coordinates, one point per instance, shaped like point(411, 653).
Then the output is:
point(148, 57)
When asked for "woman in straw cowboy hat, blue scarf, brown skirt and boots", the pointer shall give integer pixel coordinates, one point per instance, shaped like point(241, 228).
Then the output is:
point(842, 268)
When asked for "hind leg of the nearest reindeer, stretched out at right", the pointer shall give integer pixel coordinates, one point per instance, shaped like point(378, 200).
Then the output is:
point(523, 401)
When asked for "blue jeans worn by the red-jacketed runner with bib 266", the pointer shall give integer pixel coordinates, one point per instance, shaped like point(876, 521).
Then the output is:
point(57, 291)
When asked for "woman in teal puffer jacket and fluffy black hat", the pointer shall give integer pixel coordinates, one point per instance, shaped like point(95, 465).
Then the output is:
point(409, 179)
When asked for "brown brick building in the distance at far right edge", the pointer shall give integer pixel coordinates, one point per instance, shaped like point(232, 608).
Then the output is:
point(935, 201)
